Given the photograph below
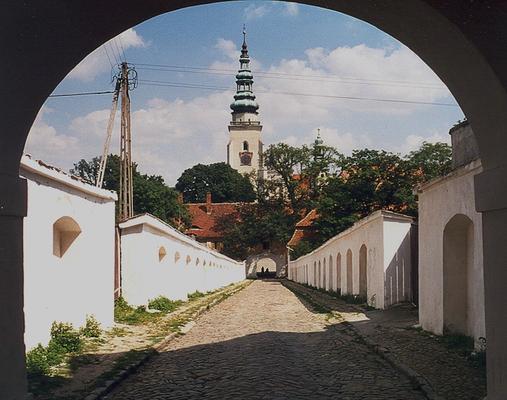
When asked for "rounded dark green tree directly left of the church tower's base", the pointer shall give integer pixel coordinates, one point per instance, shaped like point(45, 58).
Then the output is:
point(225, 184)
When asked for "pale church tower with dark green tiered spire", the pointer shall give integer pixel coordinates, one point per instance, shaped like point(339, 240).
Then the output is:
point(244, 151)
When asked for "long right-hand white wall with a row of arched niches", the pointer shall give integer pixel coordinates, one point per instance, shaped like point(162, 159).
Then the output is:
point(371, 259)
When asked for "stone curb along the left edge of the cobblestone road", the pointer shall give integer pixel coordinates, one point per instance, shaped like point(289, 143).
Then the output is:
point(109, 385)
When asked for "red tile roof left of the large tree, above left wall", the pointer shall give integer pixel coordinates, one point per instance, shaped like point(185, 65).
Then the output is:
point(207, 225)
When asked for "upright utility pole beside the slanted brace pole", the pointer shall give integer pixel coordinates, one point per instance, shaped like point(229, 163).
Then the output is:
point(126, 199)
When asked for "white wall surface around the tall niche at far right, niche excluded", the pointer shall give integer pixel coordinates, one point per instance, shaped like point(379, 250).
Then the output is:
point(439, 201)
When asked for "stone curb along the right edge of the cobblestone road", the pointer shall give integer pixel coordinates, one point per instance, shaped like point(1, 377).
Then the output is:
point(417, 380)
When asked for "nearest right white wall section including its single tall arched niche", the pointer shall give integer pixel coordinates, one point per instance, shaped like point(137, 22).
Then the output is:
point(451, 283)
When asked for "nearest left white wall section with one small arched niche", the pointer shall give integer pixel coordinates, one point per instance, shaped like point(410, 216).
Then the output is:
point(68, 251)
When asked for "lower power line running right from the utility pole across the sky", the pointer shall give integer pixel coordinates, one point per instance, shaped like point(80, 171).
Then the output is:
point(218, 88)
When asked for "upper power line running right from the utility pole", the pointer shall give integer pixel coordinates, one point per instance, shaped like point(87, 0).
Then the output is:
point(179, 68)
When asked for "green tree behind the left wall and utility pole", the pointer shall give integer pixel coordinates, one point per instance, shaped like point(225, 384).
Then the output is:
point(151, 194)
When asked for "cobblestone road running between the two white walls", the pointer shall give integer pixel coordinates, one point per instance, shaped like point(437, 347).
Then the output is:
point(264, 343)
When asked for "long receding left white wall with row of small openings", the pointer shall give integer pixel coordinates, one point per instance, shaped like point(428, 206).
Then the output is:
point(156, 259)
